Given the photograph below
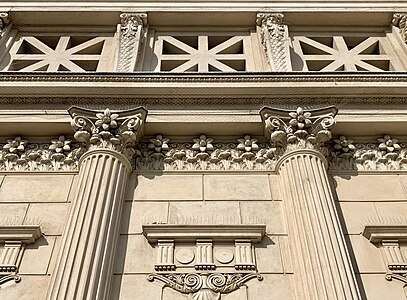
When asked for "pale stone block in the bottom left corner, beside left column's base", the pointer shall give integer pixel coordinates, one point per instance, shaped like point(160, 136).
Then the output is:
point(30, 288)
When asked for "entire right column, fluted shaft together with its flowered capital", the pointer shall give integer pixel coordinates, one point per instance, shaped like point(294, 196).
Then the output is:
point(322, 268)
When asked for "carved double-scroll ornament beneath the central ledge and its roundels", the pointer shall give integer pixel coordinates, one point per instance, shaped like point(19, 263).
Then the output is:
point(204, 286)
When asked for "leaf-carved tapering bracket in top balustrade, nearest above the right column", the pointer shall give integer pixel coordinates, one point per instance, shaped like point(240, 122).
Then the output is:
point(274, 37)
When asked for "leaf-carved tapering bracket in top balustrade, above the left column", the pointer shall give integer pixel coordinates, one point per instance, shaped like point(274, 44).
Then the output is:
point(132, 35)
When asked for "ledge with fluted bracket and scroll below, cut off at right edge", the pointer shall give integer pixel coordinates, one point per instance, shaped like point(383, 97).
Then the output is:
point(389, 238)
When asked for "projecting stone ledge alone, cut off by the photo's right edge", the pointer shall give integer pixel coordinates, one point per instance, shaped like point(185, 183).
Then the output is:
point(378, 233)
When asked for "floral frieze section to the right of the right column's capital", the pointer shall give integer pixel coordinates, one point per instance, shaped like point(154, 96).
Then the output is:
point(386, 154)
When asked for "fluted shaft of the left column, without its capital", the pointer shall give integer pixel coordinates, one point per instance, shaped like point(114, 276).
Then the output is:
point(85, 263)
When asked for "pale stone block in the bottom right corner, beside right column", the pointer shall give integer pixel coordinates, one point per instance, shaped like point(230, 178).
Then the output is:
point(378, 288)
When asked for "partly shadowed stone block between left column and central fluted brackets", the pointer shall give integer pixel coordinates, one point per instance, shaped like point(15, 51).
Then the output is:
point(134, 255)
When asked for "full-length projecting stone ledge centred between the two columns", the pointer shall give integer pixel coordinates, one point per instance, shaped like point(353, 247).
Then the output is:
point(185, 233)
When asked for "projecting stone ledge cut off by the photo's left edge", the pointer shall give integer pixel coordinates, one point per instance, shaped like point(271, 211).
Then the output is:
point(26, 234)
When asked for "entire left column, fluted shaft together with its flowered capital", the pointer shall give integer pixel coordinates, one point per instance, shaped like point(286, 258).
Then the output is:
point(85, 263)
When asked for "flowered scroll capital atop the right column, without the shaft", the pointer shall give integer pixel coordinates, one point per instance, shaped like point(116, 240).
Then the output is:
point(294, 130)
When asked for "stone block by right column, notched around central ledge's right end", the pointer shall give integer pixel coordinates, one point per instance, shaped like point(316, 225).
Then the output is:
point(264, 212)
